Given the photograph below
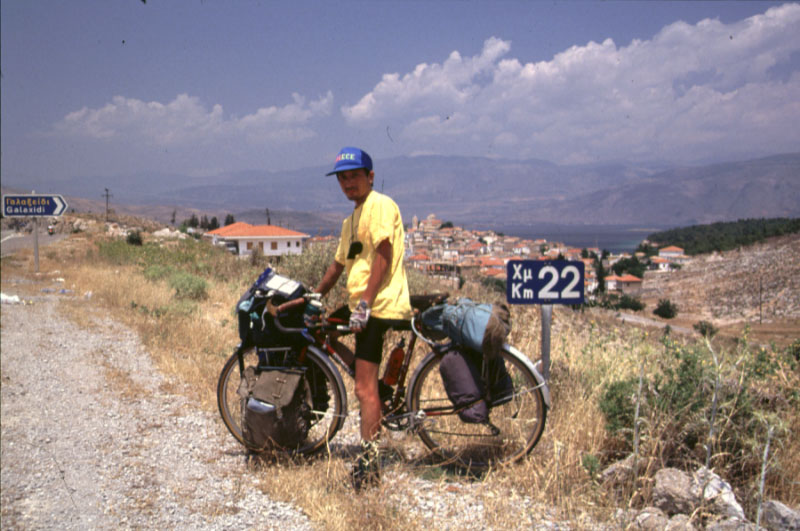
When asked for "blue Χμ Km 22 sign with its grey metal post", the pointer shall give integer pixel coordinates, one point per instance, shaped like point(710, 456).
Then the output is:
point(545, 282)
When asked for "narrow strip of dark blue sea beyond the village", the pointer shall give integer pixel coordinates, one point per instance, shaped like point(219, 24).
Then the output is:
point(613, 238)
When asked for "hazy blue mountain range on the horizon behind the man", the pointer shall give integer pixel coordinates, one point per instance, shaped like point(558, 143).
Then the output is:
point(476, 191)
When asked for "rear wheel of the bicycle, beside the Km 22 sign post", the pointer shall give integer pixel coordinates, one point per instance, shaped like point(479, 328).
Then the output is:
point(519, 416)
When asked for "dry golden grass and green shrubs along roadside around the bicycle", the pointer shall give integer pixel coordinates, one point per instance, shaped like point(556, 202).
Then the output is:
point(616, 390)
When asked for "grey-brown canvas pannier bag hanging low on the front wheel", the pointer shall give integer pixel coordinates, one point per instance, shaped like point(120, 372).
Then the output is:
point(275, 408)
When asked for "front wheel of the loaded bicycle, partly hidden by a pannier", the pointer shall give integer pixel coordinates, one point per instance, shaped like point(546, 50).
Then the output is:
point(328, 404)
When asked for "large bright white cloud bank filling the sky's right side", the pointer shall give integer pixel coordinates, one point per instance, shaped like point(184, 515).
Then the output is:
point(691, 92)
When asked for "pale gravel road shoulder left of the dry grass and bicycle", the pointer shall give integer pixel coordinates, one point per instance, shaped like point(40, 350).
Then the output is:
point(90, 439)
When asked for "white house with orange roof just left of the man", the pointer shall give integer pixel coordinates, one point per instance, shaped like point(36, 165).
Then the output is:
point(269, 239)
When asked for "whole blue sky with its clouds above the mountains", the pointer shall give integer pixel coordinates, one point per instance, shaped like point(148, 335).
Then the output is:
point(118, 87)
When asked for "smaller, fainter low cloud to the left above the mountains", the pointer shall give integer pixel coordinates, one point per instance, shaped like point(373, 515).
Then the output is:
point(186, 121)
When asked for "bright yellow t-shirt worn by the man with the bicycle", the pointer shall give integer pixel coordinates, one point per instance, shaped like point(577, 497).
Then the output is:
point(377, 219)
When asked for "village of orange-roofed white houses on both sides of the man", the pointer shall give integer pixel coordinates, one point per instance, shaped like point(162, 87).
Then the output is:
point(440, 249)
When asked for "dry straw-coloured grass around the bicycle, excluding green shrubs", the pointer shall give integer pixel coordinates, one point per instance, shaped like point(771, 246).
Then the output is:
point(189, 341)
